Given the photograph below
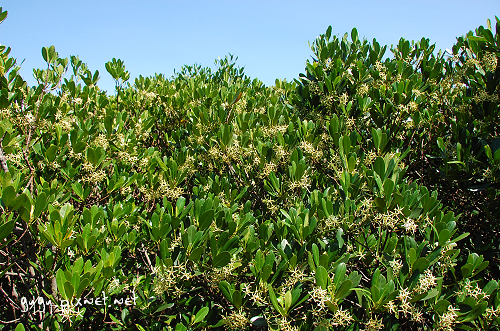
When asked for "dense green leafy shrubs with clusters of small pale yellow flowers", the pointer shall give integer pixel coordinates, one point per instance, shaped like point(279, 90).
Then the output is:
point(208, 200)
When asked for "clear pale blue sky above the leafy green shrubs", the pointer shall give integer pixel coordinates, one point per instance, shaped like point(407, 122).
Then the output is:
point(270, 38)
